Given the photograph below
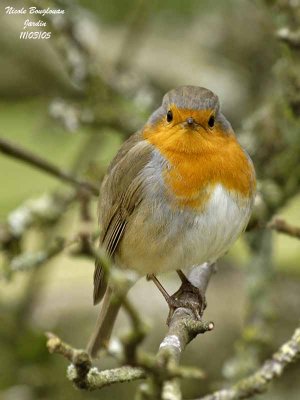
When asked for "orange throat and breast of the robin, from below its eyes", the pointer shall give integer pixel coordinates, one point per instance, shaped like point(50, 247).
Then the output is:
point(199, 161)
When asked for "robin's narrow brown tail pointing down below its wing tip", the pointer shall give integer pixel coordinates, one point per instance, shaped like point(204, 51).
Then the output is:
point(105, 322)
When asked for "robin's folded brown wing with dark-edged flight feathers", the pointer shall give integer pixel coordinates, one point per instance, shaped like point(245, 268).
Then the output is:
point(121, 192)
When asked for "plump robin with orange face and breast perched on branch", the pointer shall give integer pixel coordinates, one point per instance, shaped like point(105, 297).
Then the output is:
point(178, 193)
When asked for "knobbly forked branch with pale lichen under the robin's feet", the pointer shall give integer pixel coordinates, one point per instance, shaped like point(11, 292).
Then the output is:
point(164, 369)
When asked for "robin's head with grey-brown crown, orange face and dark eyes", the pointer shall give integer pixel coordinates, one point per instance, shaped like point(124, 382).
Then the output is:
point(188, 120)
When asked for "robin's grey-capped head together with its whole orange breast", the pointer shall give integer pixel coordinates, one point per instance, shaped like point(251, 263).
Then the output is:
point(199, 144)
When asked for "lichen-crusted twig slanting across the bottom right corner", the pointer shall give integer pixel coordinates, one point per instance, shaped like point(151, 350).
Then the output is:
point(258, 382)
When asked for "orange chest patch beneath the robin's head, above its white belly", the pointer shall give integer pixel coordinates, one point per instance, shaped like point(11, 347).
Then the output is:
point(192, 178)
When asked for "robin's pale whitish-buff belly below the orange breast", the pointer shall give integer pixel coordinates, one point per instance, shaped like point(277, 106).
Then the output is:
point(161, 239)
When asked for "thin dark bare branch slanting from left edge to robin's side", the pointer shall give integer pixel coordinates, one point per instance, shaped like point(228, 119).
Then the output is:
point(12, 150)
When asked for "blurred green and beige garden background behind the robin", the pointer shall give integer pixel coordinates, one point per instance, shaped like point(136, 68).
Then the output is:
point(72, 100)
